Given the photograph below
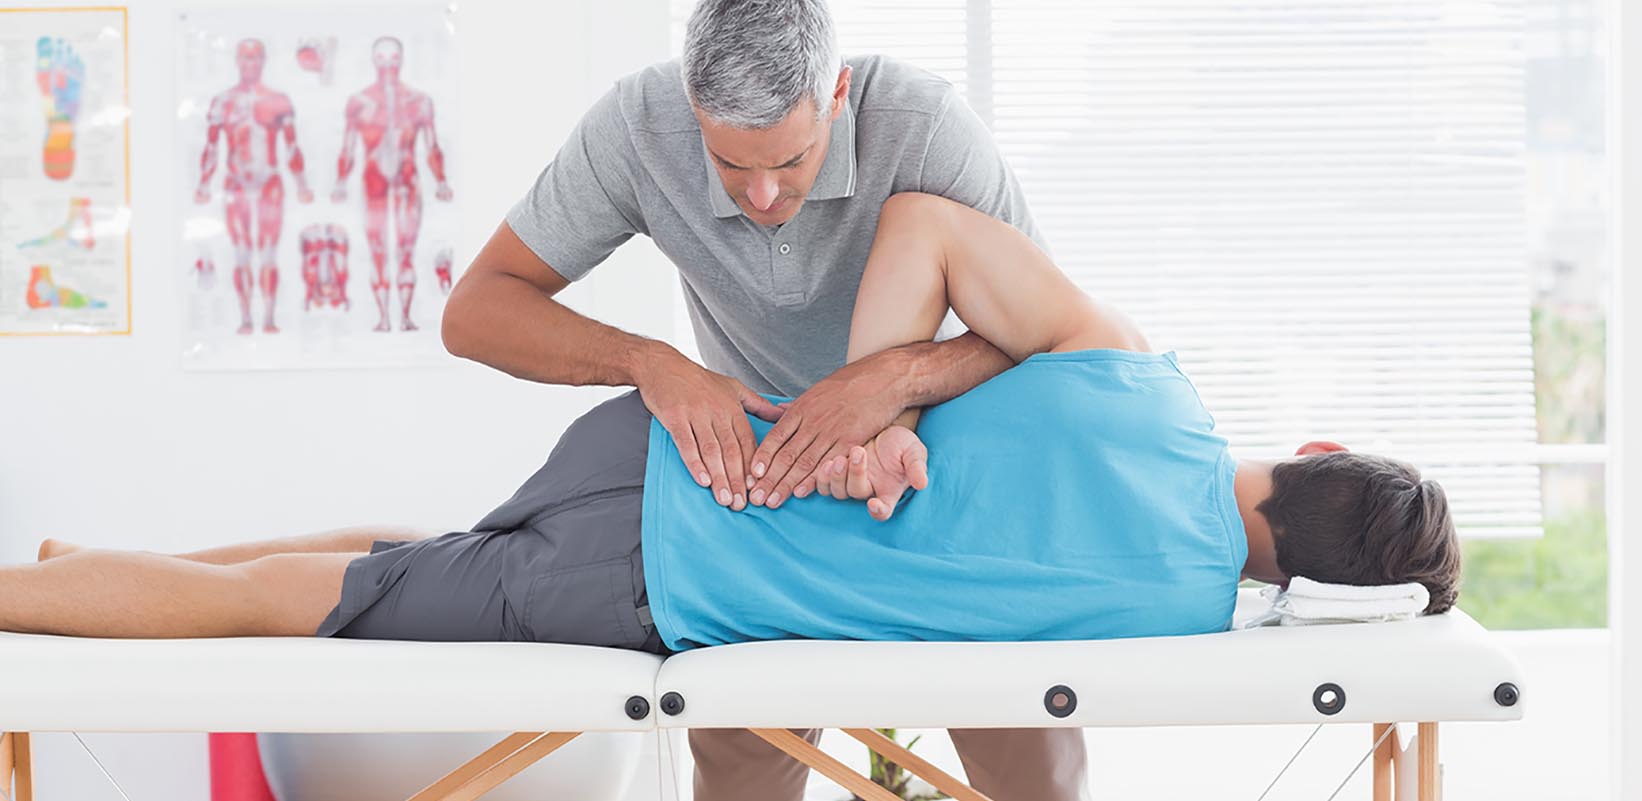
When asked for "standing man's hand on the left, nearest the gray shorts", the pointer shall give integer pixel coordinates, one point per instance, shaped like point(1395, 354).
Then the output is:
point(704, 414)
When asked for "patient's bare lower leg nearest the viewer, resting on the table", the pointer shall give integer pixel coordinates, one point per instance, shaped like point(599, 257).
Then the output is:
point(106, 593)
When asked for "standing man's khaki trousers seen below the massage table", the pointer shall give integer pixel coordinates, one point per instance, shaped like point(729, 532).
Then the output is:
point(1006, 764)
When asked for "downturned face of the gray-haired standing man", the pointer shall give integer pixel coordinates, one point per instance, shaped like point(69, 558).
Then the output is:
point(769, 172)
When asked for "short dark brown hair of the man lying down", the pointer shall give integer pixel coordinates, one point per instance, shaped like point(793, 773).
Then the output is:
point(1359, 520)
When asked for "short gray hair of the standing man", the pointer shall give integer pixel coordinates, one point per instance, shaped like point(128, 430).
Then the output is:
point(750, 63)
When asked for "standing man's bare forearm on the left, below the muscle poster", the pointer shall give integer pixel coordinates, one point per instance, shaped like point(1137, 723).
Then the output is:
point(511, 326)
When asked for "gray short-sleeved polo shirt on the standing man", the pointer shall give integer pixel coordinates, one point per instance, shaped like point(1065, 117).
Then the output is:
point(769, 306)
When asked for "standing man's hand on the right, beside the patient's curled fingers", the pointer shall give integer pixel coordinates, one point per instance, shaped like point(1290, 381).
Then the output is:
point(842, 411)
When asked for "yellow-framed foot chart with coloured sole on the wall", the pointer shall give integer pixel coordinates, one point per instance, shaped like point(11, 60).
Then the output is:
point(65, 190)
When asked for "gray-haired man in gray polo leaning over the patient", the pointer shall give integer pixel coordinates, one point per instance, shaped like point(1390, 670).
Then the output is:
point(758, 163)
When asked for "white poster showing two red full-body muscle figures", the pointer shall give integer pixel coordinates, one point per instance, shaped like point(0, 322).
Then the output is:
point(316, 185)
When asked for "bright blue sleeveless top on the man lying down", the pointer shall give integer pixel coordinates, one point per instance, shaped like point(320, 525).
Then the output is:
point(1075, 497)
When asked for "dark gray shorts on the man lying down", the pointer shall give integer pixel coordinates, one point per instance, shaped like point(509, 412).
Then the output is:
point(559, 562)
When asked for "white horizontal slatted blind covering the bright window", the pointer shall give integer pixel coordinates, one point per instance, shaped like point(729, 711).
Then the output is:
point(1319, 206)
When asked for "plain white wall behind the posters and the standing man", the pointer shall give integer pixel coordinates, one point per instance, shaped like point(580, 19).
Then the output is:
point(106, 441)
